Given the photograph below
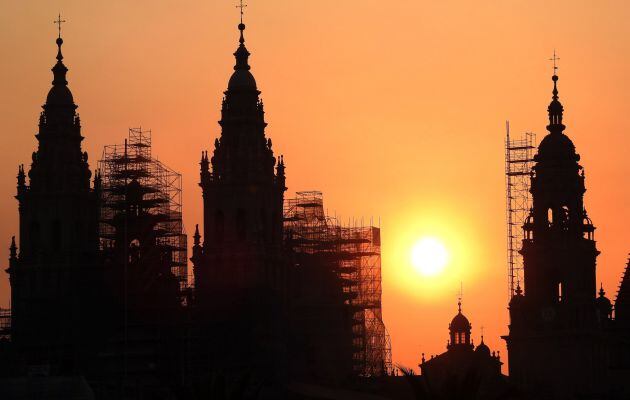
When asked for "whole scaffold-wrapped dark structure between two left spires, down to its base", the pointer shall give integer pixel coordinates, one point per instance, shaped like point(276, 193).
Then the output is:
point(144, 252)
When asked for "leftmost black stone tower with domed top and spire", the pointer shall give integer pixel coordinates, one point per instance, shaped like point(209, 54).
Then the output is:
point(54, 275)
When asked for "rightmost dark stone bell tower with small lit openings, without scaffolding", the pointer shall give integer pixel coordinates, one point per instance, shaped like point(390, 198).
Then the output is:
point(556, 340)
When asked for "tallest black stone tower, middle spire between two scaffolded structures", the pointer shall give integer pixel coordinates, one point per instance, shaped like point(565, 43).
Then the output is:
point(240, 275)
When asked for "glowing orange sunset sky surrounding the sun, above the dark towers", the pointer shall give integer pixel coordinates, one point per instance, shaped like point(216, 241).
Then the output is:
point(393, 110)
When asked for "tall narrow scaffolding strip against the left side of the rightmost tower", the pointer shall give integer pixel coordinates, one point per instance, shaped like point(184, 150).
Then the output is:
point(518, 168)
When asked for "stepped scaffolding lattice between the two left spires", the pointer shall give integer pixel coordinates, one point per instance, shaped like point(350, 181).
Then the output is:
point(161, 197)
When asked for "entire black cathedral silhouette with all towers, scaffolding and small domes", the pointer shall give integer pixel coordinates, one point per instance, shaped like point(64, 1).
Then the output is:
point(283, 301)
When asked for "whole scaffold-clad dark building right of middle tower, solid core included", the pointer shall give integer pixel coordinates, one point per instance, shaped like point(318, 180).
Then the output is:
point(335, 293)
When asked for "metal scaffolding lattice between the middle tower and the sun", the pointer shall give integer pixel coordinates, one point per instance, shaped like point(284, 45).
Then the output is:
point(353, 254)
